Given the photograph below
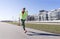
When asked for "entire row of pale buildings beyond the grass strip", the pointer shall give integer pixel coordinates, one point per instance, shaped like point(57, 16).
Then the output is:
point(45, 15)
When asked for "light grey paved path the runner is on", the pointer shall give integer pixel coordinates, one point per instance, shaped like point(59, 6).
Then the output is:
point(9, 31)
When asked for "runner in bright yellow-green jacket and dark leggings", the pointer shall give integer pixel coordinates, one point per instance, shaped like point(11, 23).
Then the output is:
point(23, 16)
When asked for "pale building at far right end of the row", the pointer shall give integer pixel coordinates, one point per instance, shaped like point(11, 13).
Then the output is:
point(54, 14)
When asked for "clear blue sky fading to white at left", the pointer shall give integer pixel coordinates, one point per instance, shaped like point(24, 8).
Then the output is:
point(10, 9)
